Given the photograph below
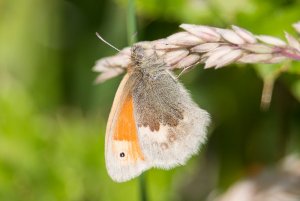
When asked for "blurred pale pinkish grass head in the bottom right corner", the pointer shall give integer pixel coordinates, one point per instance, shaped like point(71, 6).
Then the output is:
point(281, 183)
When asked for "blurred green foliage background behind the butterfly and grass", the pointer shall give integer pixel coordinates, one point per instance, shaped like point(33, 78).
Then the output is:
point(52, 117)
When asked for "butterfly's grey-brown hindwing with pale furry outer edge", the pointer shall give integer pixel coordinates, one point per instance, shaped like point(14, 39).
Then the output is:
point(171, 127)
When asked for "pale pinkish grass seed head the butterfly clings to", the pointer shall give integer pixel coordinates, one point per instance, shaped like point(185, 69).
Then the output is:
point(215, 47)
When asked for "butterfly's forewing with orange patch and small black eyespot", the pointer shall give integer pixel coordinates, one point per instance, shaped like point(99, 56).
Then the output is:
point(123, 154)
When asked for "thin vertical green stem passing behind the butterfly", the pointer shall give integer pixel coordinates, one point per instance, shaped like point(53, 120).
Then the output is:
point(131, 31)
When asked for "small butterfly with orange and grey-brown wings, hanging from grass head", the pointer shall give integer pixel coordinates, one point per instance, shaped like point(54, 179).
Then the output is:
point(153, 121)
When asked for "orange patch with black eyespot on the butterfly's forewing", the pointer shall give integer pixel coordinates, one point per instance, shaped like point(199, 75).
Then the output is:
point(125, 134)
